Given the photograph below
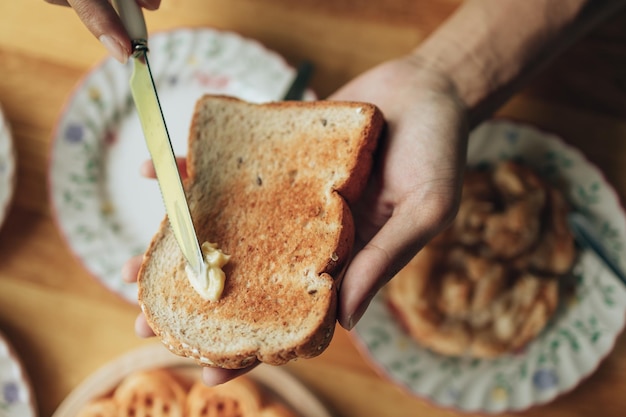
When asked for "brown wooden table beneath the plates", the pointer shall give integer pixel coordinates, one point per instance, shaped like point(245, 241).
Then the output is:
point(65, 324)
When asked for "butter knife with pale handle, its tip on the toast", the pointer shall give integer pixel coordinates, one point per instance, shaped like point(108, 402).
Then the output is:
point(157, 137)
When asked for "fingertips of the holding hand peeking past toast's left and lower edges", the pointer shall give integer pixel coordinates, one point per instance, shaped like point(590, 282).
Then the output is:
point(130, 272)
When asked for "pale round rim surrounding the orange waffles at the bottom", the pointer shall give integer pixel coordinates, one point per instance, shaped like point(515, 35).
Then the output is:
point(277, 382)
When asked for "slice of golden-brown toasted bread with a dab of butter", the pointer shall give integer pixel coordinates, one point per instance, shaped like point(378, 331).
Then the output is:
point(270, 184)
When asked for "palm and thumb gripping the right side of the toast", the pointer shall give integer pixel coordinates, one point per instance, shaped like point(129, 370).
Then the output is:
point(414, 189)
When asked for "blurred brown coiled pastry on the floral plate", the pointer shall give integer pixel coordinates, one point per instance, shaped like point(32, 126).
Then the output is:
point(489, 283)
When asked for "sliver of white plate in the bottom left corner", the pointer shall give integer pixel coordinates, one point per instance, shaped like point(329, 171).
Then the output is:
point(16, 395)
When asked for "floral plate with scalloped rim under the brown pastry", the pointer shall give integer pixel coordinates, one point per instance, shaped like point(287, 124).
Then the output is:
point(580, 335)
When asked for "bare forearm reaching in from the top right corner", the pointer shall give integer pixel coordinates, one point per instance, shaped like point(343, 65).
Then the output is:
point(489, 48)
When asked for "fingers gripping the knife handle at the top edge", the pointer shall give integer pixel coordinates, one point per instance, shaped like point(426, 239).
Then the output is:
point(100, 18)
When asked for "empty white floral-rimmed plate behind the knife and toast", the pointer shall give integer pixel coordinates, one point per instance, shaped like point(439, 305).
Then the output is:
point(105, 209)
